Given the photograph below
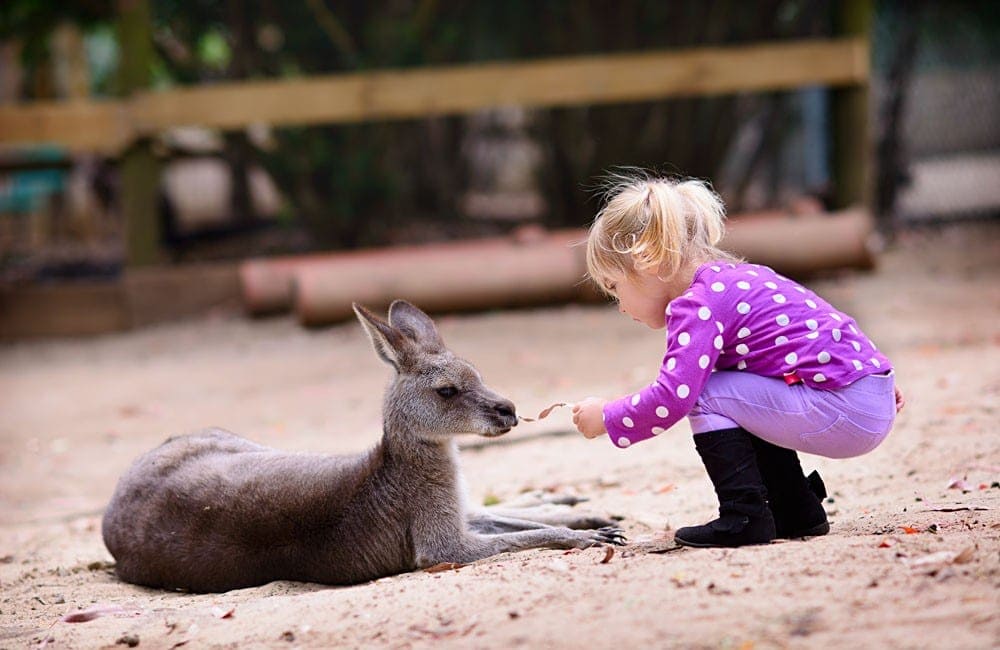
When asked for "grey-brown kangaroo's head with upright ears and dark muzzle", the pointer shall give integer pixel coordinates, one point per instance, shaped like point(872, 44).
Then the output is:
point(434, 393)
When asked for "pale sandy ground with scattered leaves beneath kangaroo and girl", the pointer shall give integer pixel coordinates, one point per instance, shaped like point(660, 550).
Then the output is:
point(913, 559)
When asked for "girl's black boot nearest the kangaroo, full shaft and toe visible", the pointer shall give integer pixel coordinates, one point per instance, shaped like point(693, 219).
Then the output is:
point(744, 517)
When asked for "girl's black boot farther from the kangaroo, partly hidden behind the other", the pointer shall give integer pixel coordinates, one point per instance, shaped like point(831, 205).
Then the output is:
point(796, 501)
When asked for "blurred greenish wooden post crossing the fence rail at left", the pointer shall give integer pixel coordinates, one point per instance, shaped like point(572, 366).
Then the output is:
point(140, 171)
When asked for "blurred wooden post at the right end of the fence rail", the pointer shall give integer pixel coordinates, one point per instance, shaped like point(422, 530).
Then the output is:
point(852, 150)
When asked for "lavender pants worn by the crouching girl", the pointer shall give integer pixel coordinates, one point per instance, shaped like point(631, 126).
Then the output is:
point(838, 423)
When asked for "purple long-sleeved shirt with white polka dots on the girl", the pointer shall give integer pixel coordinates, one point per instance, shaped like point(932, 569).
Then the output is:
point(743, 317)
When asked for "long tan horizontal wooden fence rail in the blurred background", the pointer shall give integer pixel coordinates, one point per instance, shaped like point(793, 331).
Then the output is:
point(110, 126)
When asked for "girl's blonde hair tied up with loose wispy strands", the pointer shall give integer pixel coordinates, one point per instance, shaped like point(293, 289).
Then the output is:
point(653, 223)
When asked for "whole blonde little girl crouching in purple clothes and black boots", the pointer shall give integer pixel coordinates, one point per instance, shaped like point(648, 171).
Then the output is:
point(761, 365)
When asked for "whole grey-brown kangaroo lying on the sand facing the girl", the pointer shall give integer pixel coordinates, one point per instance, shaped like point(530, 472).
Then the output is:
point(211, 511)
